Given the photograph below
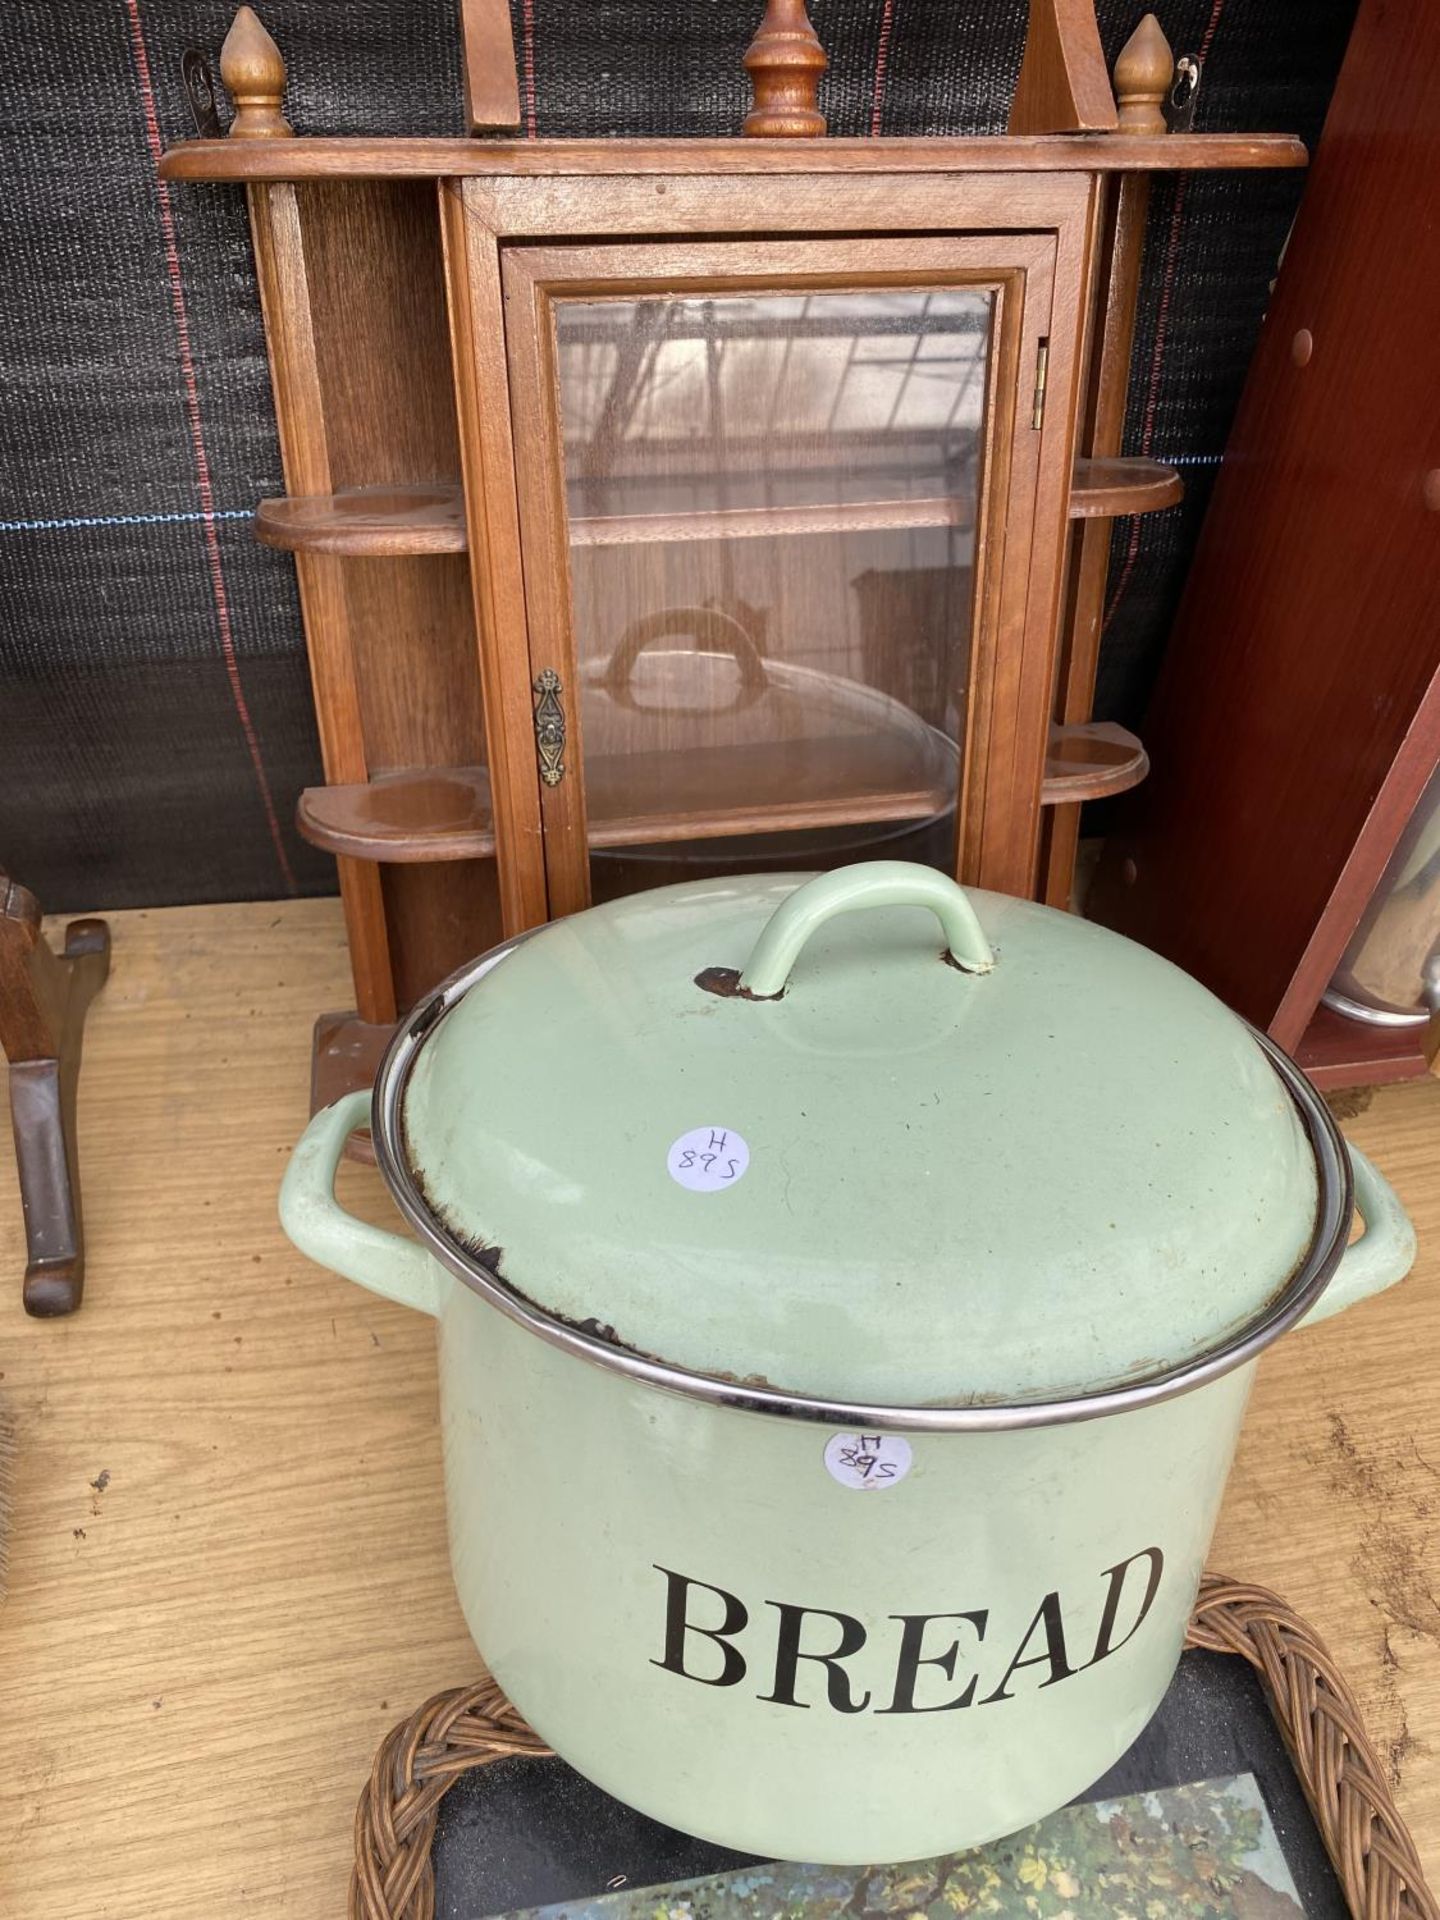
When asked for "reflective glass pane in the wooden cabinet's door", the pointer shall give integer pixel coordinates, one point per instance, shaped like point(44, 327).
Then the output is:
point(773, 516)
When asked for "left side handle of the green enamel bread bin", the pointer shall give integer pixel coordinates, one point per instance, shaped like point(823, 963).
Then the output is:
point(385, 1262)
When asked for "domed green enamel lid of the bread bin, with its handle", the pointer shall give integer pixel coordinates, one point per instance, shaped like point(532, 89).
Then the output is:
point(917, 1147)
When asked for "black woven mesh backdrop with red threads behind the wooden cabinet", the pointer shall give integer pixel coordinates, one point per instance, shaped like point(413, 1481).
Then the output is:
point(155, 706)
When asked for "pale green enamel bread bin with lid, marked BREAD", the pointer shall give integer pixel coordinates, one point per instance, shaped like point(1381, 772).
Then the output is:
point(848, 1295)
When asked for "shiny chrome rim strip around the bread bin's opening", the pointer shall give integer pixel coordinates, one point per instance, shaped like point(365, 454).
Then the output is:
point(1307, 1285)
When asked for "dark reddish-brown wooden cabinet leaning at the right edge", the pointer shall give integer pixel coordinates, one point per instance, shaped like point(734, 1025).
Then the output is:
point(1297, 721)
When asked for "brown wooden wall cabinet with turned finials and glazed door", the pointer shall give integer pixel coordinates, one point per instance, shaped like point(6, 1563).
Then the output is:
point(683, 508)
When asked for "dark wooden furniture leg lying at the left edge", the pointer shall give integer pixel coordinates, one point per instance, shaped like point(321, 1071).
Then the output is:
point(43, 1005)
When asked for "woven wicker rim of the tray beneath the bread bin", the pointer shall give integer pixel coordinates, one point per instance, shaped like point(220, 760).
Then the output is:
point(1318, 1717)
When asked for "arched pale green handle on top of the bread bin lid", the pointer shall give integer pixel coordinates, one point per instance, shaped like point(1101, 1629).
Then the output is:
point(871, 884)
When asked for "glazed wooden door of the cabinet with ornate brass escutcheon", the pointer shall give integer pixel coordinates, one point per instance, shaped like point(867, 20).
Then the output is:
point(779, 508)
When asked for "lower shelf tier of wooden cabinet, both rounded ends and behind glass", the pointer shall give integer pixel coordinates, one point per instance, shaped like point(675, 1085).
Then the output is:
point(640, 800)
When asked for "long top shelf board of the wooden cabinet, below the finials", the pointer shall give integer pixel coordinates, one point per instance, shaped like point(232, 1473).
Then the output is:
point(437, 160)
